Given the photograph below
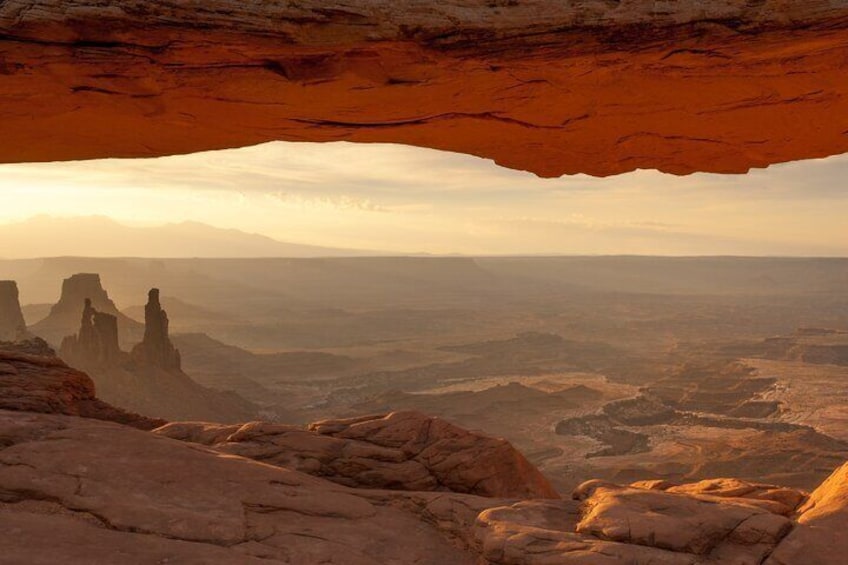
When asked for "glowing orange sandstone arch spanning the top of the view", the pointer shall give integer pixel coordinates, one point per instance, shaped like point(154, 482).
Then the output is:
point(550, 86)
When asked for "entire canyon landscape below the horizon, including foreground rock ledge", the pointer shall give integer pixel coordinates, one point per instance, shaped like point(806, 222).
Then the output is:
point(522, 447)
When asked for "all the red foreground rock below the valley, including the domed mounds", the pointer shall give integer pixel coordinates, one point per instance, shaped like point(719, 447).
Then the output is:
point(103, 491)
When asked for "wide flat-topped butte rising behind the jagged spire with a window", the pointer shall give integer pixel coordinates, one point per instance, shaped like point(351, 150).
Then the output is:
point(64, 317)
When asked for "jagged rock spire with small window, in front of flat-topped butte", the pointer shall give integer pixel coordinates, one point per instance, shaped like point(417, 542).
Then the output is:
point(96, 344)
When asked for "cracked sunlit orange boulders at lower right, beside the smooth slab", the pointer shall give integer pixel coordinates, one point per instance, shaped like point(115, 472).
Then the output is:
point(618, 524)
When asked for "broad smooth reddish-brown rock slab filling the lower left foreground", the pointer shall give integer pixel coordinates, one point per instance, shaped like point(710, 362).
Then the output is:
point(104, 493)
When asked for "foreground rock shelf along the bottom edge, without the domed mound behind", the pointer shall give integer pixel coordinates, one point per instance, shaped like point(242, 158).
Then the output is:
point(103, 492)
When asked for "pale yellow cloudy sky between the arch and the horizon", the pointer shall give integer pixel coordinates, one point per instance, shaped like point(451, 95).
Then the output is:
point(409, 200)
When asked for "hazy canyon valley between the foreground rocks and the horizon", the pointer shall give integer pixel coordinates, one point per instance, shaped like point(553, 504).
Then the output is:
point(650, 368)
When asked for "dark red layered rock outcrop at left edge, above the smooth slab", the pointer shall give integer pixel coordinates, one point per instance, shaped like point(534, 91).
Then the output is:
point(32, 379)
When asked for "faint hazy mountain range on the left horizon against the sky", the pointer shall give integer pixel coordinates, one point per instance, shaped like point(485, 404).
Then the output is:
point(99, 236)
